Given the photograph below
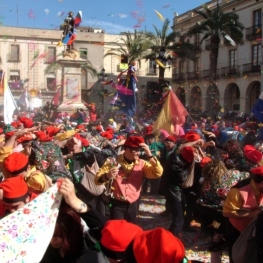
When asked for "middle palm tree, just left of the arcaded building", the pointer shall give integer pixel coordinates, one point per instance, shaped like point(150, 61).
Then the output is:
point(163, 43)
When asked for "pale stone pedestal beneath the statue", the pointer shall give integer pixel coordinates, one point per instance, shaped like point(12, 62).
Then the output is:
point(71, 84)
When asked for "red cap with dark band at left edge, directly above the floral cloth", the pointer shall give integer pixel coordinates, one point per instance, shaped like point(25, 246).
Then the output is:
point(15, 189)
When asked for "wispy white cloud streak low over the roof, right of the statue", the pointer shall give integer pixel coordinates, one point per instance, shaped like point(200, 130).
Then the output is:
point(109, 28)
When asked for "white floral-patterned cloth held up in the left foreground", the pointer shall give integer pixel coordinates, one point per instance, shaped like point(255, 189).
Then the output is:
point(26, 233)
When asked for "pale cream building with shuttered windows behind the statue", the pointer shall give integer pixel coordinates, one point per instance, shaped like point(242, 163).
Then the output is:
point(27, 52)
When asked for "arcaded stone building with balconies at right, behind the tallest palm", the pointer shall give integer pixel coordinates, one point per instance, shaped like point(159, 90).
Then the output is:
point(239, 69)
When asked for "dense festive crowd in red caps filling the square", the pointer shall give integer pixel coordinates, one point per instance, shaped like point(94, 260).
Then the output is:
point(212, 172)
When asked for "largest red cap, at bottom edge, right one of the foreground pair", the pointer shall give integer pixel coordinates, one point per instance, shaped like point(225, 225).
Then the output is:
point(158, 245)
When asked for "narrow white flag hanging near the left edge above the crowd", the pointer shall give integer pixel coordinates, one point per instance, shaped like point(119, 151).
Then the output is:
point(9, 103)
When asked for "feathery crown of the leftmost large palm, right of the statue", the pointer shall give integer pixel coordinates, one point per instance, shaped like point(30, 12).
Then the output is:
point(133, 46)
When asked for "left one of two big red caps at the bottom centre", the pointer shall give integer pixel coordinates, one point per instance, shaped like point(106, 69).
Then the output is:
point(116, 236)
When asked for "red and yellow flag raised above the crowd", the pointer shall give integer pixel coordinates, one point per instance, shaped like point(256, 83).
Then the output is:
point(171, 116)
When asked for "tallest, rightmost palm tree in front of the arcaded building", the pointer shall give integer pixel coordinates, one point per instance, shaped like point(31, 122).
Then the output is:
point(217, 26)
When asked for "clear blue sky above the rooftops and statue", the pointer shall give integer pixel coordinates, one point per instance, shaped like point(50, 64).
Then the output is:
point(114, 16)
